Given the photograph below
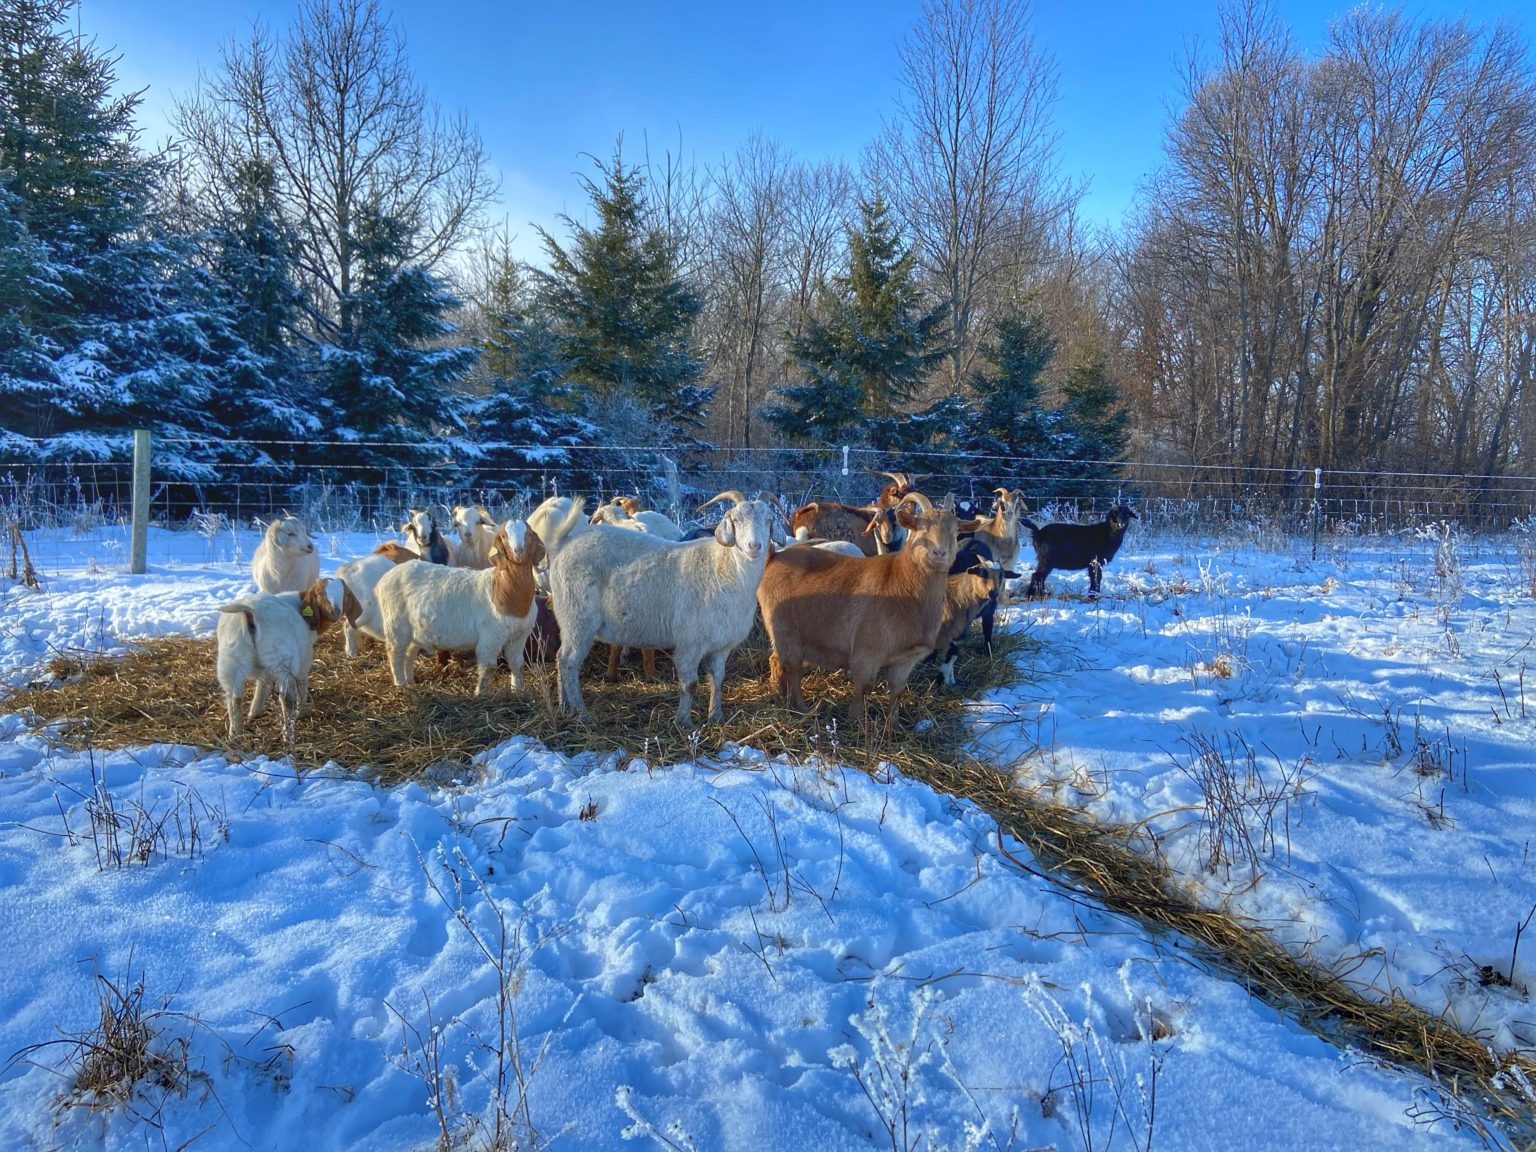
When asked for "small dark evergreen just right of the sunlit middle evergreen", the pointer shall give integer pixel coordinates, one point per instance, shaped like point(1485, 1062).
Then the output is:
point(1010, 419)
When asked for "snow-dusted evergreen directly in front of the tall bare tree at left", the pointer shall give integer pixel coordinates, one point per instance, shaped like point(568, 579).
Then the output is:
point(391, 379)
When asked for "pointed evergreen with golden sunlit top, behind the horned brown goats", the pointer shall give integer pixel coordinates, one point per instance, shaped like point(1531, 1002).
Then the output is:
point(870, 351)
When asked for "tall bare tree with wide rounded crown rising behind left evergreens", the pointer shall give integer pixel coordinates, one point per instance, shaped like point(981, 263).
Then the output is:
point(337, 113)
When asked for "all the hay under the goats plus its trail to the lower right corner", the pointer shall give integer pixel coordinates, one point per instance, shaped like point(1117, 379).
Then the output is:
point(165, 692)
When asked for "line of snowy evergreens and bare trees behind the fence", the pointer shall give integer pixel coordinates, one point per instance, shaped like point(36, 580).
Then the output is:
point(1332, 266)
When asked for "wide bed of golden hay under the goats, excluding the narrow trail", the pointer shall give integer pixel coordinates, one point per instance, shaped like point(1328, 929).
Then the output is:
point(164, 692)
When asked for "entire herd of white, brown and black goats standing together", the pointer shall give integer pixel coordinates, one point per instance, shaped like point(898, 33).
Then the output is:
point(862, 589)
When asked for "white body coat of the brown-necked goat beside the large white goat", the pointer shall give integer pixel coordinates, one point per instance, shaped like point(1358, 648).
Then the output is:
point(428, 607)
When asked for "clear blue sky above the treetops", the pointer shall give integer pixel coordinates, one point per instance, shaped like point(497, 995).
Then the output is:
point(549, 82)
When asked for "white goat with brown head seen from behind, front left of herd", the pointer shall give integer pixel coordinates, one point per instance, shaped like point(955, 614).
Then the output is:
point(270, 638)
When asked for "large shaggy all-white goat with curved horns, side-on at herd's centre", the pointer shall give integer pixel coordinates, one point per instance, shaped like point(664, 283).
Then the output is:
point(635, 591)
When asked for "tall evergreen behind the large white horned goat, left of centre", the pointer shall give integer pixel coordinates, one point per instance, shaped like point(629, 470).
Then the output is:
point(620, 308)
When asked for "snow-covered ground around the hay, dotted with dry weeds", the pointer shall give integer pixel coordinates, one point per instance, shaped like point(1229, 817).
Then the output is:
point(749, 953)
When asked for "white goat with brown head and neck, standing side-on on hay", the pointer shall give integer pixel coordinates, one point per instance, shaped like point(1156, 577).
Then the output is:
point(491, 611)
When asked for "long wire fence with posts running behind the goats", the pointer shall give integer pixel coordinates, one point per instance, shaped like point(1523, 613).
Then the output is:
point(342, 492)
